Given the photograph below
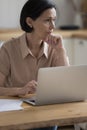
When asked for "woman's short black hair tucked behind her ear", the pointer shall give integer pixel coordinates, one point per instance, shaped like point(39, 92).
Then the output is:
point(33, 9)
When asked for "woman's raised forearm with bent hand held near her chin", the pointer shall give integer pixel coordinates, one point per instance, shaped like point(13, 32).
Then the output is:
point(60, 57)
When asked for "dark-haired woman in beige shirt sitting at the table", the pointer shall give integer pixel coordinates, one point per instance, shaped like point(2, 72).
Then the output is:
point(20, 58)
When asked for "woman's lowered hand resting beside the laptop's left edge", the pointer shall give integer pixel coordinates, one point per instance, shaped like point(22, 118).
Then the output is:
point(29, 88)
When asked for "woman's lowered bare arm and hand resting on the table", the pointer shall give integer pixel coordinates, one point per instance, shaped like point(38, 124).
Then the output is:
point(29, 88)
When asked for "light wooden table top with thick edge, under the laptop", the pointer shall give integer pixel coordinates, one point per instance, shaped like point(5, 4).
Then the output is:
point(42, 116)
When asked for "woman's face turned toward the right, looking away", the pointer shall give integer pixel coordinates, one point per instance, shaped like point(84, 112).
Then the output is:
point(44, 25)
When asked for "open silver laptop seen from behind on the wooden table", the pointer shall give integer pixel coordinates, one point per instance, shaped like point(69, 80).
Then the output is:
point(60, 85)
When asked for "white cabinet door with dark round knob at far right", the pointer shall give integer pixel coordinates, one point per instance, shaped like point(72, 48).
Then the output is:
point(80, 51)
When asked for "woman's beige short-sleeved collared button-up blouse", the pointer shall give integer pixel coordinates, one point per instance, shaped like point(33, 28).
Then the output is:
point(20, 66)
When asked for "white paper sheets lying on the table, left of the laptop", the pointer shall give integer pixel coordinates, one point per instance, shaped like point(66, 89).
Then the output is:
point(10, 104)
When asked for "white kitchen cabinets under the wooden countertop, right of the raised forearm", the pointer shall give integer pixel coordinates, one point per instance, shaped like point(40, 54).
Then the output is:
point(76, 49)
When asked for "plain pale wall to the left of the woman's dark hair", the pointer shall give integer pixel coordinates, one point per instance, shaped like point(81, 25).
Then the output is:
point(10, 12)
